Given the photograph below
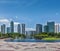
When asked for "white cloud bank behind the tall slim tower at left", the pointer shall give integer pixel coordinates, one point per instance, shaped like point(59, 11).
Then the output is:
point(7, 23)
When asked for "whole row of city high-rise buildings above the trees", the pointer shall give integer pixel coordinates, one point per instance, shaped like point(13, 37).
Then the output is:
point(51, 26)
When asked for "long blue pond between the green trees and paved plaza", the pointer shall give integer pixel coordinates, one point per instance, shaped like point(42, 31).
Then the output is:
point(31, 40)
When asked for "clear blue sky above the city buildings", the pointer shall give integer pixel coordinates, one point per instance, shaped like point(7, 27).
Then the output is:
point(30, 12)
